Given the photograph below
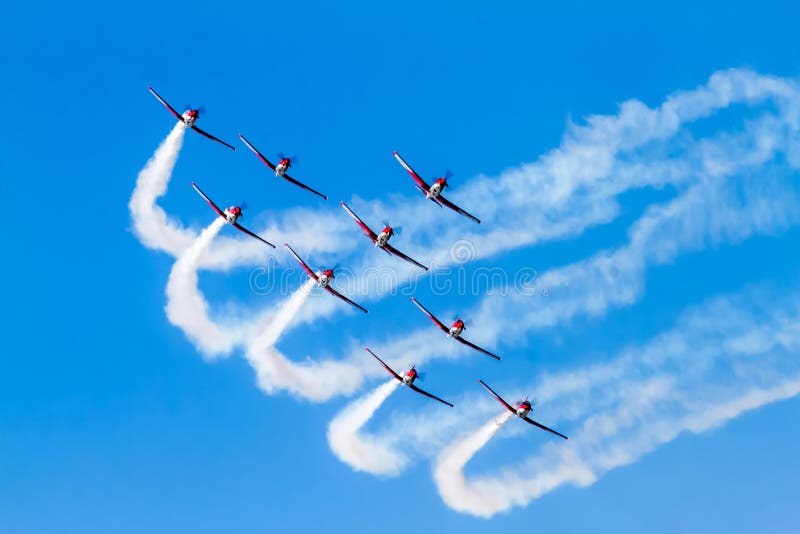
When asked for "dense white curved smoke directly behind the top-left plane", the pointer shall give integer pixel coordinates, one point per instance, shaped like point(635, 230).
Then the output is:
point(150, 222)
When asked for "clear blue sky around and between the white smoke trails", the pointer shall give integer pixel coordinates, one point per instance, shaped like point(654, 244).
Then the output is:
point(111, 421)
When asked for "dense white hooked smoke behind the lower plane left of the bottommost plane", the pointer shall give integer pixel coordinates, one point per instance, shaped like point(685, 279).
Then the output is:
point(360, 452)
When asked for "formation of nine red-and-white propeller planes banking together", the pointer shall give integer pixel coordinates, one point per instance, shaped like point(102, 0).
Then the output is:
point(325, 276)
